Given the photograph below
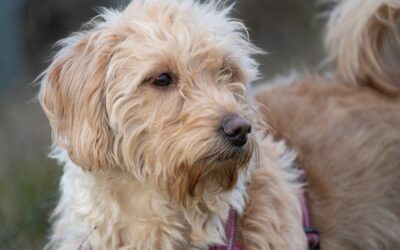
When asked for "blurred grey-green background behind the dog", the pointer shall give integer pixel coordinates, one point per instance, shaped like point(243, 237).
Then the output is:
point(288, 29)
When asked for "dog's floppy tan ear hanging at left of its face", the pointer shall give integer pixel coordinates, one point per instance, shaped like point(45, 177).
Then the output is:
point(72, 95)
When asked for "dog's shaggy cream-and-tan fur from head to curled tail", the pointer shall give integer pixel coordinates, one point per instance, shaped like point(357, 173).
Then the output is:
point(146, 167)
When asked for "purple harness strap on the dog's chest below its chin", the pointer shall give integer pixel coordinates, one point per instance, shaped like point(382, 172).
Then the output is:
point(230, 232)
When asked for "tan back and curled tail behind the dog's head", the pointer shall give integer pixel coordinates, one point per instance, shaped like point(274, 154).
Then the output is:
point(346, 128)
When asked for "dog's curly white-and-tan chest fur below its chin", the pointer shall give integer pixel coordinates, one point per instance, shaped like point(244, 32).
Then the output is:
point(118, 211)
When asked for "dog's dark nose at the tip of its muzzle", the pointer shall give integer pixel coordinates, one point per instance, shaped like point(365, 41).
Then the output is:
point(236, 128)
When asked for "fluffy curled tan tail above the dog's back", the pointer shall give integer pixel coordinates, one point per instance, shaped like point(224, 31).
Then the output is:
point(363, 39)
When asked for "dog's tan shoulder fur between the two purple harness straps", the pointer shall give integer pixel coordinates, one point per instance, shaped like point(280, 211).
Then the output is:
point(272, 219)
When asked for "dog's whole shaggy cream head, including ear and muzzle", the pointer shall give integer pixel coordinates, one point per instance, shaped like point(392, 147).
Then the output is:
point(159, 91)
